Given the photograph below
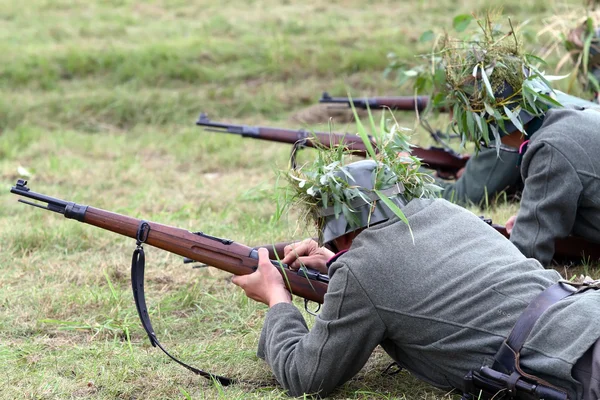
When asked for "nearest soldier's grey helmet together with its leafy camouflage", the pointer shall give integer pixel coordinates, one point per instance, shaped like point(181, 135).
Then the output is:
point(340, 196)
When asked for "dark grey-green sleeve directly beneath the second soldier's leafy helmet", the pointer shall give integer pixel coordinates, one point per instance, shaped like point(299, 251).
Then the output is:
point(485, 175)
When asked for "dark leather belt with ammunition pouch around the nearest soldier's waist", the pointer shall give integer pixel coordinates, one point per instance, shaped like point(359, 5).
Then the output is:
point(505, 379)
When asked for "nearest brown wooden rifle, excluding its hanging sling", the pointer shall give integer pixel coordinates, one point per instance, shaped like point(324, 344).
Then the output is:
point(223, 254)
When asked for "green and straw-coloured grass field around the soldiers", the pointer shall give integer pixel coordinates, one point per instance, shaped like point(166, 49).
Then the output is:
point(97, 105)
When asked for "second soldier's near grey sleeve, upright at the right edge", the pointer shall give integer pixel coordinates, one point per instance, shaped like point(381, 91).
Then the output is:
point(548, 205)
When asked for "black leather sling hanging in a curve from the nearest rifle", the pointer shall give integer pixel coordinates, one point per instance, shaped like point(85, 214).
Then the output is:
point(138, 262)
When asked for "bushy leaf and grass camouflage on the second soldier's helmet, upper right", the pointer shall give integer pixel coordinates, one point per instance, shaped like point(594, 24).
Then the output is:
point(491, 86)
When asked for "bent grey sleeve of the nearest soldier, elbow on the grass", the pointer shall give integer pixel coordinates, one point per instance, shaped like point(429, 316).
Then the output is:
point(344, 335)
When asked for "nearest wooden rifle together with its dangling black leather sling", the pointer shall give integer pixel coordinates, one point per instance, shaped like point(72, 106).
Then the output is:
point(221, 253)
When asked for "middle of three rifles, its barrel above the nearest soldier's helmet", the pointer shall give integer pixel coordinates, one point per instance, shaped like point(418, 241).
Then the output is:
point(445, 161)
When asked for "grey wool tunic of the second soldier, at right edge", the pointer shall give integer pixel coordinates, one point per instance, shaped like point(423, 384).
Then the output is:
point(561, 172)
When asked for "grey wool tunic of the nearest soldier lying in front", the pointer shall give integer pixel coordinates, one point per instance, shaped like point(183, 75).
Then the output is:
point(439, 307)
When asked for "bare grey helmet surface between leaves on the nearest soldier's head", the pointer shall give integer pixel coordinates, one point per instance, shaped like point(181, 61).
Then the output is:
point(363, 174)
